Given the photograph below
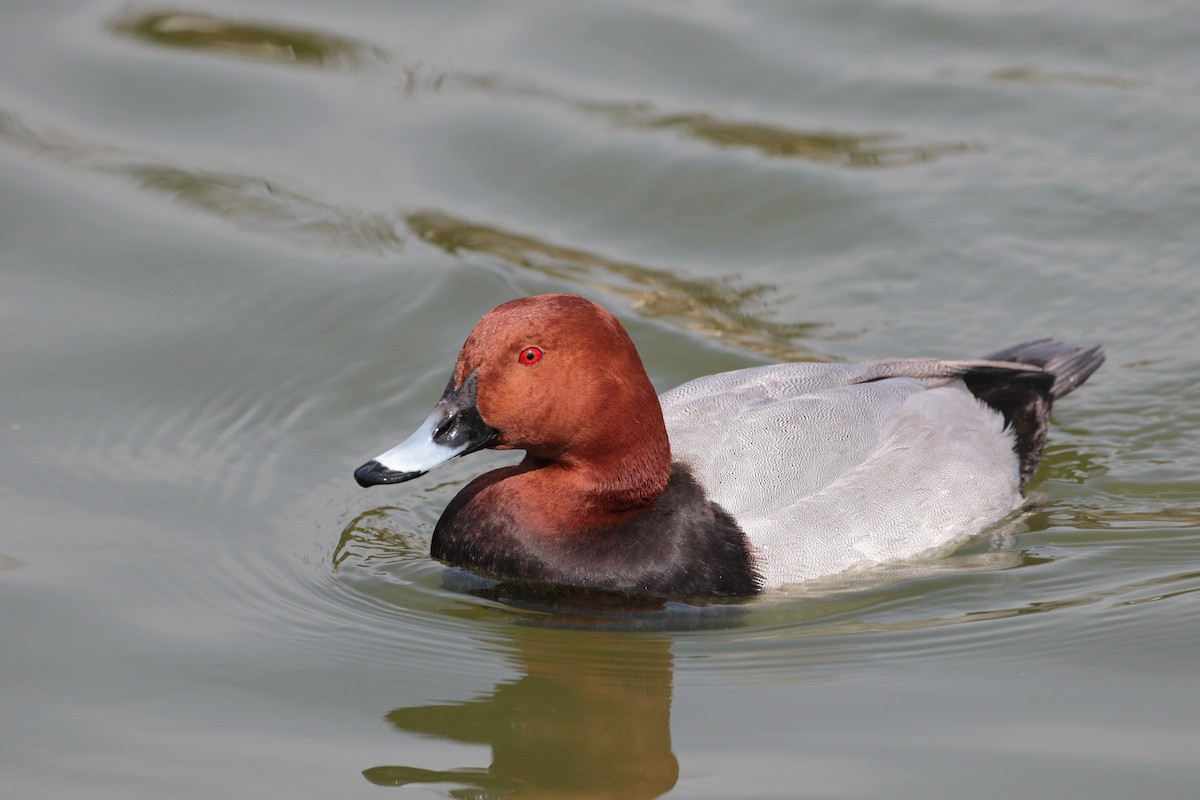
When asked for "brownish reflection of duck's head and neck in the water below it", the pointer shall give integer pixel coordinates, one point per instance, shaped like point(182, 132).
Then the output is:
point(590, 718)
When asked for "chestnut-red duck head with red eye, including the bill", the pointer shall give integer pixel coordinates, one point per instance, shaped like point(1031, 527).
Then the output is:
point(557, 377)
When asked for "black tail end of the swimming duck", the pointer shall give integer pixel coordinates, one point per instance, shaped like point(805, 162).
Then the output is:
point(1025, 398)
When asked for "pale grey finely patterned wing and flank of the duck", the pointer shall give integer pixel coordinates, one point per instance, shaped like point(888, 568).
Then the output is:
point(831, 467)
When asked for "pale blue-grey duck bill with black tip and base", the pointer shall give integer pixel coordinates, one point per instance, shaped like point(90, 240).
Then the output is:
point(454, 429)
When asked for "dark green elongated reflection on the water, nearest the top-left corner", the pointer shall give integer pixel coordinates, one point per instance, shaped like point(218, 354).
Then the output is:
point(257, 41)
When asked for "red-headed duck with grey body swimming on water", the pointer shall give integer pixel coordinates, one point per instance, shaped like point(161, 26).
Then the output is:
point(729, 485)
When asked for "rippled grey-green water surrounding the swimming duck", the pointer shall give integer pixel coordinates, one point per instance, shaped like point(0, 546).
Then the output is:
point(241, 245)
